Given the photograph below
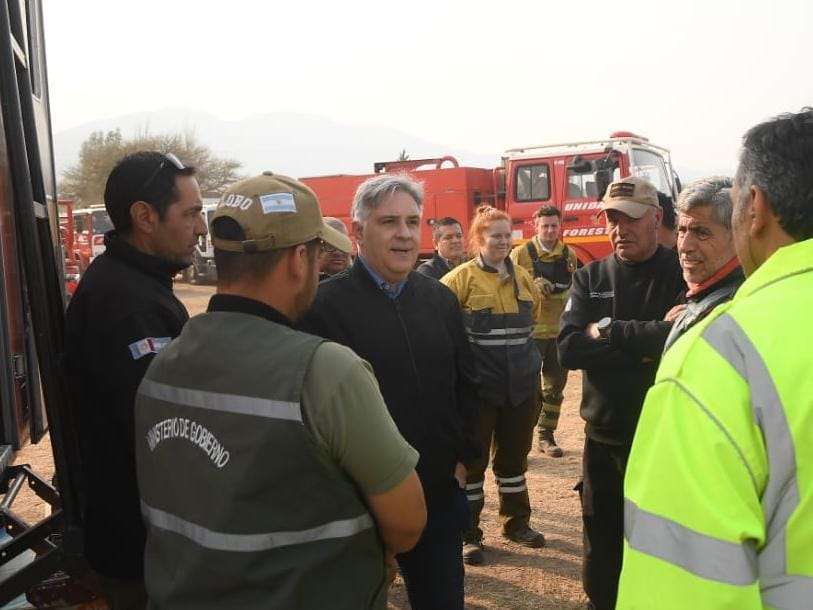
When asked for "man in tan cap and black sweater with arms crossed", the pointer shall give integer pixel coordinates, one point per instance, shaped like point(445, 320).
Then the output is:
point(614, 329)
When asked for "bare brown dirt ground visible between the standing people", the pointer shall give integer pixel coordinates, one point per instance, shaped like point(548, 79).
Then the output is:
point(514, 578)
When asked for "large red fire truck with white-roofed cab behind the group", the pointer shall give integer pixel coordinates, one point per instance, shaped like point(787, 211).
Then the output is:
point(571, 176)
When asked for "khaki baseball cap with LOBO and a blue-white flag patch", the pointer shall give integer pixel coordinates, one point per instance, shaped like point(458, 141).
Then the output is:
point(274, 212)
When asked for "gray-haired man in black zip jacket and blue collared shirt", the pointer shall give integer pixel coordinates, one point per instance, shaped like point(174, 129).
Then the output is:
point(410, 328)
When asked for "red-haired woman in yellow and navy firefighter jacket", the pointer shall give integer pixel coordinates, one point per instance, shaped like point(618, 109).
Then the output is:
point(500, 305)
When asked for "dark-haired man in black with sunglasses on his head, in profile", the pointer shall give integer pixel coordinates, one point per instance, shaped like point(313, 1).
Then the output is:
point(124, 312)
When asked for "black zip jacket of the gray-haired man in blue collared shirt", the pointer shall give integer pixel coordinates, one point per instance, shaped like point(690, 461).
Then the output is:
point(421, 357)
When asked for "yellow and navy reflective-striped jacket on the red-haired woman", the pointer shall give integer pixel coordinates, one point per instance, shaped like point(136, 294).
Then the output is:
point(499, 315)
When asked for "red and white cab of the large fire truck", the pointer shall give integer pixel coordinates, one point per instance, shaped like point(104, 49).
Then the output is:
point(573, 177)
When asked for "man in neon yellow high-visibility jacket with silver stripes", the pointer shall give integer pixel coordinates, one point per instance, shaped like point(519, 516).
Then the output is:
point(726, 520)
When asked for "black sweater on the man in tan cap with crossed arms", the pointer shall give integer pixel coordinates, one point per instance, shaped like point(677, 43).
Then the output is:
point(618, 371)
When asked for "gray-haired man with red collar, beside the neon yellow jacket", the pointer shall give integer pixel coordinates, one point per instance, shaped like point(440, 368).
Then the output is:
point(706, 248)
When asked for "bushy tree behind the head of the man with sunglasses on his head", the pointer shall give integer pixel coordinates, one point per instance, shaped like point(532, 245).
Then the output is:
point(86, 180)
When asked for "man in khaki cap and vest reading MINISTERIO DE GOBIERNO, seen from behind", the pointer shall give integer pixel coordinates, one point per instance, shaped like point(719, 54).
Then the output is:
point(271, 473)
